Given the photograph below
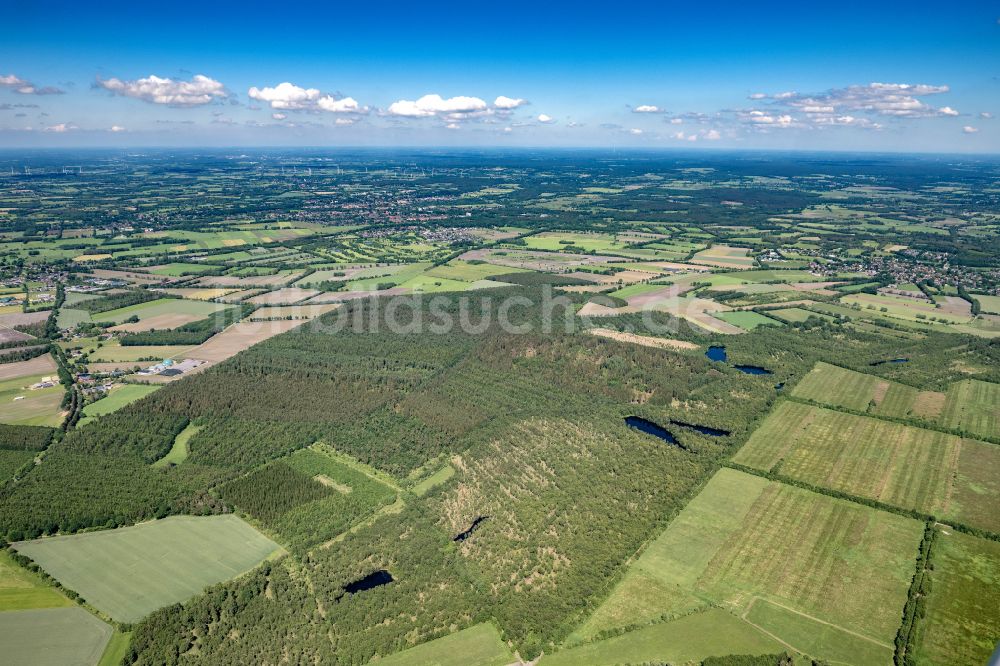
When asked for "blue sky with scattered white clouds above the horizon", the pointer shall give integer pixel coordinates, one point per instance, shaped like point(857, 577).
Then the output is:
point(851, 76)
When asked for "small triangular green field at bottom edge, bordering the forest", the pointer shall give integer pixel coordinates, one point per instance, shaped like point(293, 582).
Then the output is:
point(479, 644)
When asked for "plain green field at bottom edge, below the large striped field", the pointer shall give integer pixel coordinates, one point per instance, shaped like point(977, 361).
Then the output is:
point(690, 639)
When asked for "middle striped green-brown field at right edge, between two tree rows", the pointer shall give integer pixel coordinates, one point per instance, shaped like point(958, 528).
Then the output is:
point(905, 466)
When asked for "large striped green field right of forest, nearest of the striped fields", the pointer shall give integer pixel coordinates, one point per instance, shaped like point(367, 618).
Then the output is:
point(846, 571)
